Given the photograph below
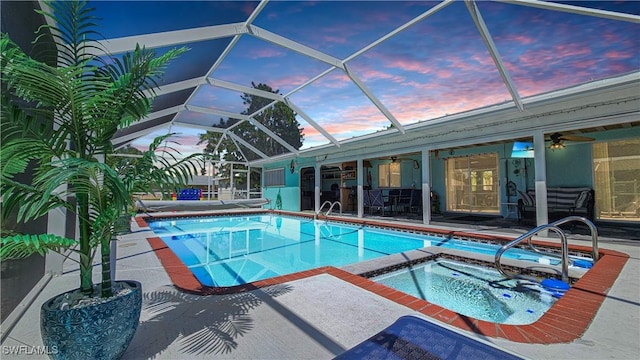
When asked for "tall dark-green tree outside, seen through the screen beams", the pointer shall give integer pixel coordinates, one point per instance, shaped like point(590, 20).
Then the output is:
point(280, 119)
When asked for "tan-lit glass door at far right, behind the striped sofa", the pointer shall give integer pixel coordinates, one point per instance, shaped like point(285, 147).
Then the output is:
point(616, 172)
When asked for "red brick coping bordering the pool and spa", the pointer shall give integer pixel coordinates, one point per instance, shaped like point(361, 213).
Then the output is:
point(564, 322)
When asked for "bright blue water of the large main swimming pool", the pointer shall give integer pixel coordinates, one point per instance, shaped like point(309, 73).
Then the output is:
point(235, 250)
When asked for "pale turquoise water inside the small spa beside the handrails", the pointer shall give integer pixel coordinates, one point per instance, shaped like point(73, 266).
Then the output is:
point(472, 290)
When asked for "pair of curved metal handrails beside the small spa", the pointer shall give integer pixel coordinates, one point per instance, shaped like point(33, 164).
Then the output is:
point(564, 255)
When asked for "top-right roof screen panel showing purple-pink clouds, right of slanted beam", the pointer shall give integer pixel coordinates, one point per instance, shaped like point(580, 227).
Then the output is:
point(546, 50)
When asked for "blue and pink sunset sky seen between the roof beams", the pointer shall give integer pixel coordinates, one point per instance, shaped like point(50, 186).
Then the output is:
point(438, 66)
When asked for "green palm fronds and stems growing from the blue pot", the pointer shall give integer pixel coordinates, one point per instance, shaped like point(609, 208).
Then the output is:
point(59, 122)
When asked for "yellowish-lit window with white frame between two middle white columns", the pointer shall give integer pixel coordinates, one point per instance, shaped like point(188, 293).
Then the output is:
point(472, 183)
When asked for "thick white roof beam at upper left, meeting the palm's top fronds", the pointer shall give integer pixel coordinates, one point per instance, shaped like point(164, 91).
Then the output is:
point(173, 38)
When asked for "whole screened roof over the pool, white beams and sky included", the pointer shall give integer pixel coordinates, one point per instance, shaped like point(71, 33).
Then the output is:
point(355, 68)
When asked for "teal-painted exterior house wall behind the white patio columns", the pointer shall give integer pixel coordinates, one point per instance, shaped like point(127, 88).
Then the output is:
point(569, 167)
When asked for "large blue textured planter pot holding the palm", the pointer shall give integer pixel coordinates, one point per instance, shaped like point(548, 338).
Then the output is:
point(97, 331)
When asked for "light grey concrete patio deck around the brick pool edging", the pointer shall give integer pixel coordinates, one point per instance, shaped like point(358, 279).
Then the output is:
point(317, 317)
